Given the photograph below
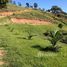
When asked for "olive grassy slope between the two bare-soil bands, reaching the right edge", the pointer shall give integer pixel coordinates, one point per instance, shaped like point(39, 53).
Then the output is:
point(41, 15)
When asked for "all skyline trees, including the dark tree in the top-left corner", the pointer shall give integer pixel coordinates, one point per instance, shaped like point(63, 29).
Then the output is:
point(54, 9)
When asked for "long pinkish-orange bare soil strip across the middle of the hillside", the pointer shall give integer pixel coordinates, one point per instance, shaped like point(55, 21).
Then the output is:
point(30, 21)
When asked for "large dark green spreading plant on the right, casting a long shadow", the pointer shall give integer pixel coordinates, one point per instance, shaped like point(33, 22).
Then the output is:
point(54, 37)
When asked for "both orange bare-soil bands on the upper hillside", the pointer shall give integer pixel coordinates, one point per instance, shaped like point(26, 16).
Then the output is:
point(24, 21)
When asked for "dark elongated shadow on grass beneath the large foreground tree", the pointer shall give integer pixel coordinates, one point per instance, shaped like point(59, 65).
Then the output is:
point(46, 49)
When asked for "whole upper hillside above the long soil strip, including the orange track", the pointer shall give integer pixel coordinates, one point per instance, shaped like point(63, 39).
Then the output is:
point(28, 13)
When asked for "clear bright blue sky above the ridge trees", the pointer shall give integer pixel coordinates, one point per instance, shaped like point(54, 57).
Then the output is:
point(46, 4)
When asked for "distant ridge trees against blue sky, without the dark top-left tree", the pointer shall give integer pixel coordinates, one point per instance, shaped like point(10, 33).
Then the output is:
point(54, 9)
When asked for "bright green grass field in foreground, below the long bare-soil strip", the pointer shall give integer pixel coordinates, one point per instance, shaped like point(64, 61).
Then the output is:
point(25, 53)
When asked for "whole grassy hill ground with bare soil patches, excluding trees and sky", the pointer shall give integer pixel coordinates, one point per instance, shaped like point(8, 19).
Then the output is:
point(17, 51)
